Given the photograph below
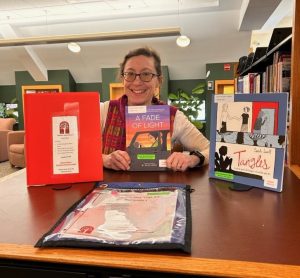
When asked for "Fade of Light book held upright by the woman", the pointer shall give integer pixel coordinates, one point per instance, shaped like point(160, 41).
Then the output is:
point(148, 139)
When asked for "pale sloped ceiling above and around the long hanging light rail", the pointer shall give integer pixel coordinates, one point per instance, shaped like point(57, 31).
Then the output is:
point(220, 31)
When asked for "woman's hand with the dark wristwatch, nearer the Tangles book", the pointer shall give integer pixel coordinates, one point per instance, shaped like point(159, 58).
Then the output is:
point(178, 161)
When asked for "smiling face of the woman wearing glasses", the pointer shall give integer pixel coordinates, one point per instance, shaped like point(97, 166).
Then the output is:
point(138, 91)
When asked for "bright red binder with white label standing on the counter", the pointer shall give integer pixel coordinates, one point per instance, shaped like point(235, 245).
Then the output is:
point(63, 138)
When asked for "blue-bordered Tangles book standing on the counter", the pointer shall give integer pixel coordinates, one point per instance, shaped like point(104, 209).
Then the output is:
point(248, 139)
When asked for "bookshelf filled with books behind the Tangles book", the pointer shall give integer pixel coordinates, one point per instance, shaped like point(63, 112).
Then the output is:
point(269, 68)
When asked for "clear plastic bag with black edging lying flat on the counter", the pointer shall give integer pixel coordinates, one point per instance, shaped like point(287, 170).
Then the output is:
point(126, 215)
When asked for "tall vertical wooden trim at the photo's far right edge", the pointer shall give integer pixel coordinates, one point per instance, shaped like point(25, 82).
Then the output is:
point(294, 134)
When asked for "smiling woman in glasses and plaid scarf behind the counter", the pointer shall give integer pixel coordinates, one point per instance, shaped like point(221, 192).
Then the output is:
point(141, 74)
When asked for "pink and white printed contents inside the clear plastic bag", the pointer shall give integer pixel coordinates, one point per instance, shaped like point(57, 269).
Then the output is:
point(124, 216)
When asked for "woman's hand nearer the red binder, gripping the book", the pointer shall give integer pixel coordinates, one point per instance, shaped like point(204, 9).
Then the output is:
point(117, 160)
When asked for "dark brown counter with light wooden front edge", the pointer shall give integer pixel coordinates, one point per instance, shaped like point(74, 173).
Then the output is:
point(235, 234)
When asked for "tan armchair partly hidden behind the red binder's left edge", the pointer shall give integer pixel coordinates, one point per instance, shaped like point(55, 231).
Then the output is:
point(16, 148)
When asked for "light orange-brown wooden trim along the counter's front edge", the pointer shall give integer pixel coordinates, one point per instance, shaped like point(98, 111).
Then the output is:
point(149, 262)
